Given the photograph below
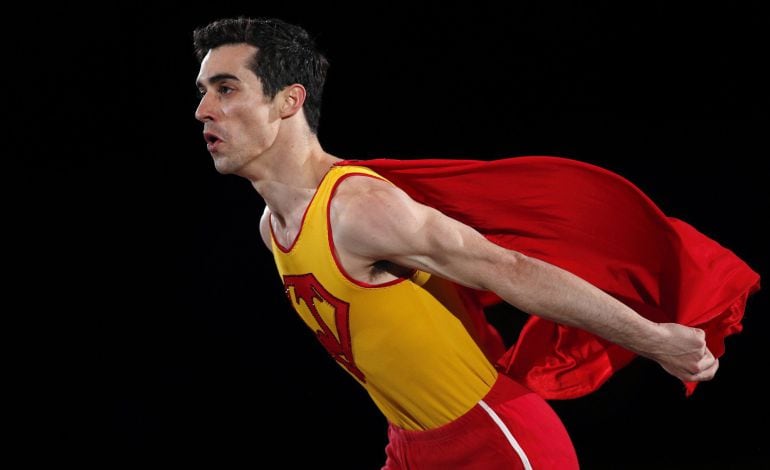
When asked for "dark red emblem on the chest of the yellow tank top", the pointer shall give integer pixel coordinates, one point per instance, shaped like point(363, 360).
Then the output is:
point(308, 289)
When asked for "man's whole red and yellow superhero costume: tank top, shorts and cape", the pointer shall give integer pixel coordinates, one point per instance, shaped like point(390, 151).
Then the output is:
point(421, 346)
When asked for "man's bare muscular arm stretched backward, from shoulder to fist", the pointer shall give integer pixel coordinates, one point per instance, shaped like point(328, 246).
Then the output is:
point(374, 220)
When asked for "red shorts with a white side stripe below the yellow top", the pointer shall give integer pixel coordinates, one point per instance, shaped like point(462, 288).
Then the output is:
point(511, 428)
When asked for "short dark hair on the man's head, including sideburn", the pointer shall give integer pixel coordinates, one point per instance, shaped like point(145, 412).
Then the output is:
point(286, 54)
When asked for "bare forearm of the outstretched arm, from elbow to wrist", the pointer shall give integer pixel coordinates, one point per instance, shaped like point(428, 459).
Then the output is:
point(550, 292)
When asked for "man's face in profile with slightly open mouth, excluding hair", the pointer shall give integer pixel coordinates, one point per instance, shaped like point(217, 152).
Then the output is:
point(239, 122)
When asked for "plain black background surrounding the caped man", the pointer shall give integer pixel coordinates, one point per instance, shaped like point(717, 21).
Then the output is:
point(158, 330)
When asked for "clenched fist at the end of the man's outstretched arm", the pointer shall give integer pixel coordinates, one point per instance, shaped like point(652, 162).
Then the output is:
point(684, 353)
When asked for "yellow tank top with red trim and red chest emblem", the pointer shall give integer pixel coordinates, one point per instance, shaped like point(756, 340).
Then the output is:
point(411, 353)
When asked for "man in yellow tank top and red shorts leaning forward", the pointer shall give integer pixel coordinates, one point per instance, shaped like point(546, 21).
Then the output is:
point(387, 282)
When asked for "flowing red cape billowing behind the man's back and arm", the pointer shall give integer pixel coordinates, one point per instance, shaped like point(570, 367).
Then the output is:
point(597, 225)
